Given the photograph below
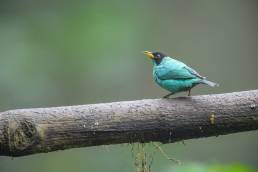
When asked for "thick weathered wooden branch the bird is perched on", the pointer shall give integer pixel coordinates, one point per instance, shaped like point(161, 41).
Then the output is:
point(29, 131)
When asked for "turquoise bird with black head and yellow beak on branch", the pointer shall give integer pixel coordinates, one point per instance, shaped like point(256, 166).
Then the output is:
point(175, 76)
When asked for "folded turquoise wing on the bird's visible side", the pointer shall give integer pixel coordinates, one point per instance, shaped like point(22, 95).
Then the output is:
point(173, 69)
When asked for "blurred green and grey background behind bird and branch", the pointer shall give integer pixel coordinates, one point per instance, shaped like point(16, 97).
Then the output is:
point(56, 53)
